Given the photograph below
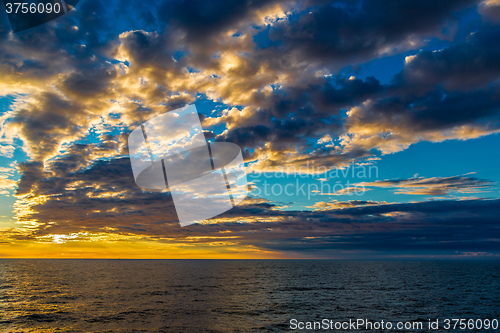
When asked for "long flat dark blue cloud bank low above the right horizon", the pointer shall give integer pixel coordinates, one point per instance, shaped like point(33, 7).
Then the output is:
point(434, 227)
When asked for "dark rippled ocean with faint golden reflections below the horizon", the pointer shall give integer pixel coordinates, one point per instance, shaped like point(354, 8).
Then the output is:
point(241, 295)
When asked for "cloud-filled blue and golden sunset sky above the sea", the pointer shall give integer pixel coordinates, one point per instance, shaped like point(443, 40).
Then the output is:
point(369, 128)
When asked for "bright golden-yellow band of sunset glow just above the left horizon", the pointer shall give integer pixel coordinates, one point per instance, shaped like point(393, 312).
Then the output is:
point(123, 247)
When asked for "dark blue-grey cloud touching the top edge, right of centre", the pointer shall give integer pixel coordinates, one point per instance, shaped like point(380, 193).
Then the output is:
point(348, 31)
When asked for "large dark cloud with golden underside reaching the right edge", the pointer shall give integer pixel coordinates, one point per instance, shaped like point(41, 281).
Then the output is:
point(453, 93)
